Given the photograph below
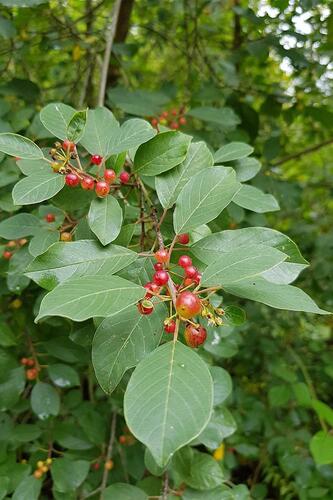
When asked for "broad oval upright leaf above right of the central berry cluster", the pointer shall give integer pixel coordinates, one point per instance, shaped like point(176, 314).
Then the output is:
point(204, 197)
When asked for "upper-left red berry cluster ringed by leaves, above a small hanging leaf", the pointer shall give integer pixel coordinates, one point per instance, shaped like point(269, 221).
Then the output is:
point(102, 183)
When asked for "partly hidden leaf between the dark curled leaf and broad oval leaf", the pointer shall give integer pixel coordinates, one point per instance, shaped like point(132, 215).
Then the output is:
point(170, 184)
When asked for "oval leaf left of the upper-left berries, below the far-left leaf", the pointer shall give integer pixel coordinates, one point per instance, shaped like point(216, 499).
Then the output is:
point(37, 187)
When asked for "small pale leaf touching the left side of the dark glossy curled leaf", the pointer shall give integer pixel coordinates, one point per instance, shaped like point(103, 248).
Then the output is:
point(130, 135)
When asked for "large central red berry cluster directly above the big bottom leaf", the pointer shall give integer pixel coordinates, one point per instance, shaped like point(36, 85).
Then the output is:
point(185, 297)
